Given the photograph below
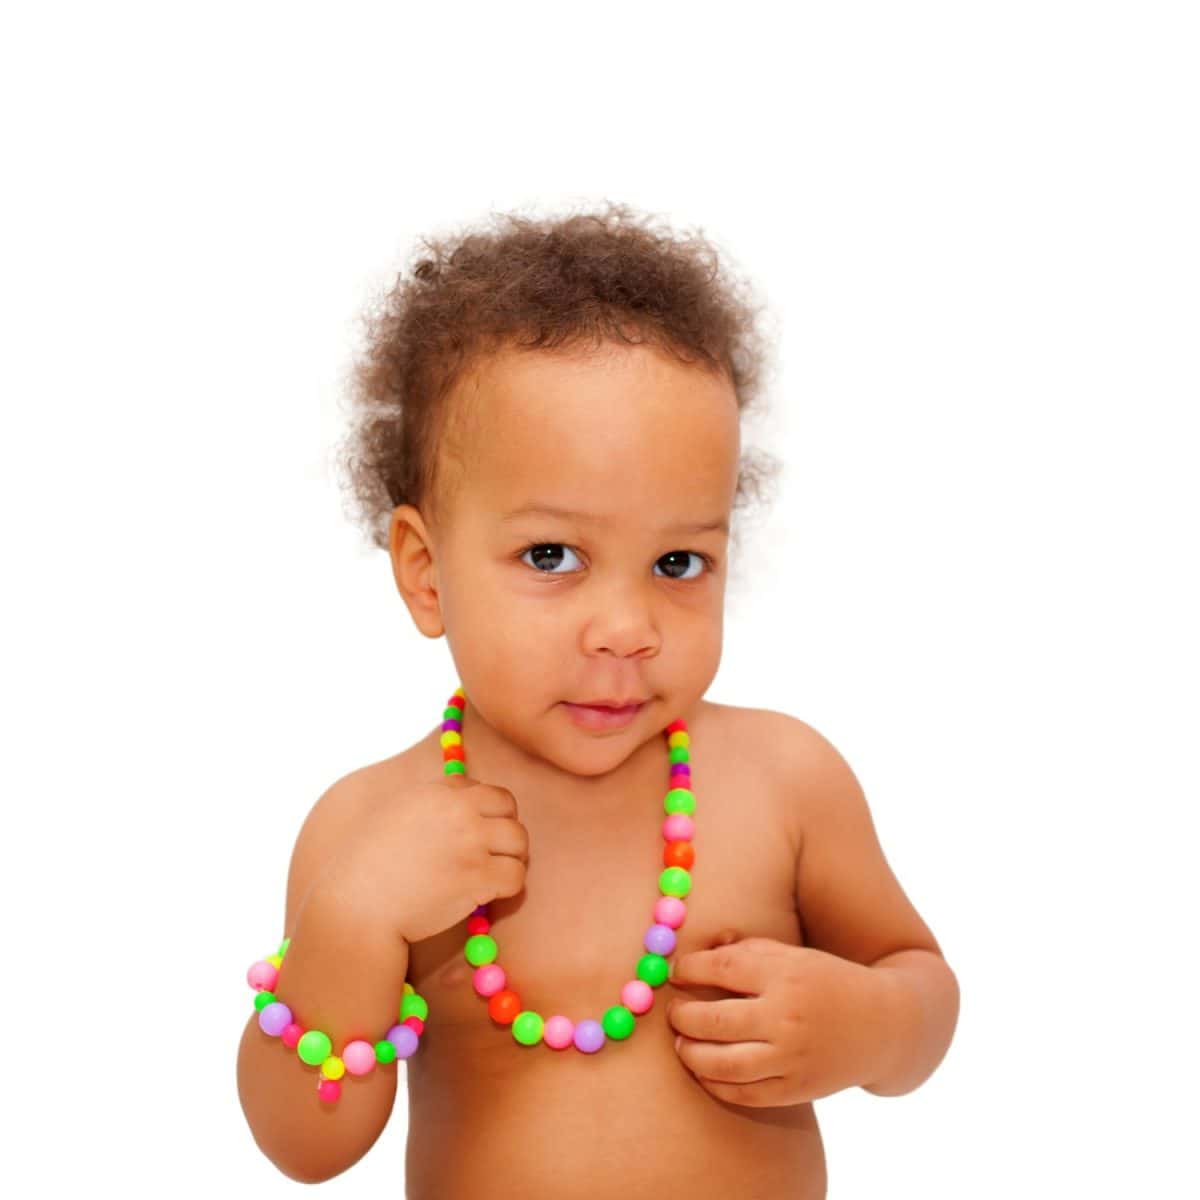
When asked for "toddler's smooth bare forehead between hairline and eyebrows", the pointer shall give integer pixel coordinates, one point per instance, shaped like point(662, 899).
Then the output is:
point(609, 433)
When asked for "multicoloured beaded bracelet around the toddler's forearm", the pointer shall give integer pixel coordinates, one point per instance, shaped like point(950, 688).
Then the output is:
point(315, 1048)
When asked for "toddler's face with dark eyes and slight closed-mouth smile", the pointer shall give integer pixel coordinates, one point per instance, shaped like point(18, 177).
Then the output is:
point(622, 601)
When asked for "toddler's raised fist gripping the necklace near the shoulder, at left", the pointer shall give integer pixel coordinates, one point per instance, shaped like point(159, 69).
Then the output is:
point(423, 861)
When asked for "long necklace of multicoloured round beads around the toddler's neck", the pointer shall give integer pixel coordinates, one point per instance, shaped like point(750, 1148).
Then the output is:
point(675, 883)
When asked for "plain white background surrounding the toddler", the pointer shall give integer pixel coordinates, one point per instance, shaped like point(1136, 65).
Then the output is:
point(976, 227)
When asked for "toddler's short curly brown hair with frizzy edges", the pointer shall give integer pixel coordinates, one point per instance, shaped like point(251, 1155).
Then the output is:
point(551, 284)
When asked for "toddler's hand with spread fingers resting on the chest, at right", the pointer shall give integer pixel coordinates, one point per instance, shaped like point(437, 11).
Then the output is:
point(809, 1023)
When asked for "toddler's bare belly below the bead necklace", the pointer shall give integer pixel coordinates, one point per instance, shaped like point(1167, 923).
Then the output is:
point(489, 1117)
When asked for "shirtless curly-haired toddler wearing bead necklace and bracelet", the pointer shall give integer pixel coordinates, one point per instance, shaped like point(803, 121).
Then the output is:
point(549, 446)
